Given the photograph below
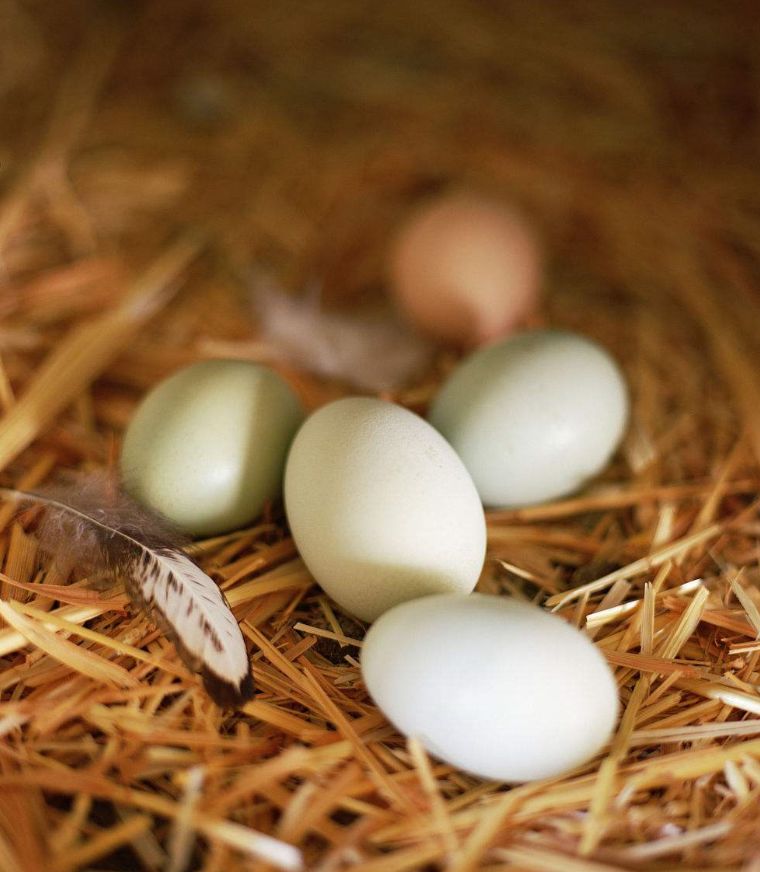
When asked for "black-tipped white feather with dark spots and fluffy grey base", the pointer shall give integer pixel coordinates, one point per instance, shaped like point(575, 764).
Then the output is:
point(93, 523)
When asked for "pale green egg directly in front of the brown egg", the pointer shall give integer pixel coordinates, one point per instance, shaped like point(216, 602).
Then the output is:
point(533, 417)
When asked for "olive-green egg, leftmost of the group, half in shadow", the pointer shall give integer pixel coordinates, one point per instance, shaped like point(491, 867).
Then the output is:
point(206, 447)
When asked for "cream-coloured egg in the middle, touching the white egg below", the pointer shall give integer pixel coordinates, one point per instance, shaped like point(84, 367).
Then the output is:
point(380, 507)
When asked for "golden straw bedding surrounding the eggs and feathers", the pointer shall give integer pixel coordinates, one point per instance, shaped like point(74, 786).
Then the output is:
point(153, 156)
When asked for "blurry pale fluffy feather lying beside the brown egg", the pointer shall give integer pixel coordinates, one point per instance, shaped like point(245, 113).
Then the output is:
point(369, 347)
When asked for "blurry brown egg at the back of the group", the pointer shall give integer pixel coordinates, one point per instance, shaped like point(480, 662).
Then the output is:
point(465, 269)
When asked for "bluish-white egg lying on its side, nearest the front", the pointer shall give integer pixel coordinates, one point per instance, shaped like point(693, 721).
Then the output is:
point(493, 686)
